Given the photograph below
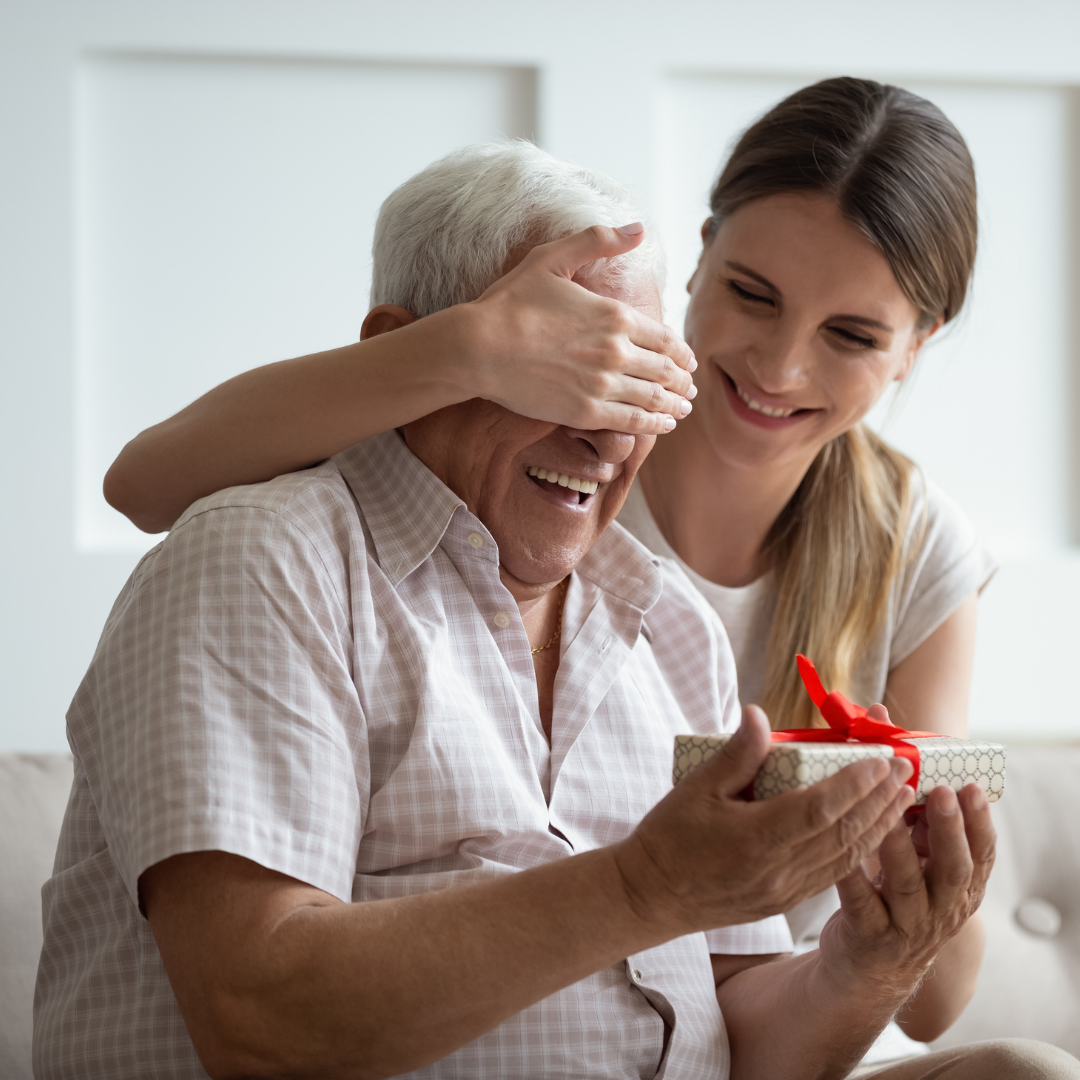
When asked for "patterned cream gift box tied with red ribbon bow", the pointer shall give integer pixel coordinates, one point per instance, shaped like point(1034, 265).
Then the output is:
point(804, 757)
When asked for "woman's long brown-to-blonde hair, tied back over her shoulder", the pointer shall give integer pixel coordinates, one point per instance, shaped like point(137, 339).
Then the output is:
point(902, 173)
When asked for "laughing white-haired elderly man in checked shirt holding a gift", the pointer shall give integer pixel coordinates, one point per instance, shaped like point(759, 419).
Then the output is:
point(373, 763)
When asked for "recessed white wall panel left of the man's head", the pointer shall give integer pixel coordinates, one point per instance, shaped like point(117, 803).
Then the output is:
point(225, 211)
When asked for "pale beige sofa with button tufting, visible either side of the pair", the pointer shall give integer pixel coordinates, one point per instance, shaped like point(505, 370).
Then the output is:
point(1031, 979)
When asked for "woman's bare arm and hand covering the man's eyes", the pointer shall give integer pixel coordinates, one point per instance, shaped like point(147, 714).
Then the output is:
point(536, 343)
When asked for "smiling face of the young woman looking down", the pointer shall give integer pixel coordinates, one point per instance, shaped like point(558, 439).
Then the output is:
point(799, 327)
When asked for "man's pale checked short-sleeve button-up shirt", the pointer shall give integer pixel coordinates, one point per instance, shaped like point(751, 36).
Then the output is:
point(326, 674)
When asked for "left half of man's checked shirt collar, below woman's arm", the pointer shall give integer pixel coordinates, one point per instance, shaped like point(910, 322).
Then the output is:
point(408, 509)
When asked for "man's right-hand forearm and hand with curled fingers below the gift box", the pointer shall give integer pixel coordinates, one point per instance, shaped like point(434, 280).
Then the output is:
point(816, 1015)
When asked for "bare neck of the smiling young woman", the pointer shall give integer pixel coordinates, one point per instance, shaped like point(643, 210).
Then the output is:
point(715, 515)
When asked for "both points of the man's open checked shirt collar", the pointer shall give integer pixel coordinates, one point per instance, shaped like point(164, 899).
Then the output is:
point(408, 510)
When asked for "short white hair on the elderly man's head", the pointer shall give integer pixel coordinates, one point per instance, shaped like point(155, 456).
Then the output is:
point(445, 235)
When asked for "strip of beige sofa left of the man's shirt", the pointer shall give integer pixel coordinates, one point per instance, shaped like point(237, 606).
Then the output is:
point(34, 793)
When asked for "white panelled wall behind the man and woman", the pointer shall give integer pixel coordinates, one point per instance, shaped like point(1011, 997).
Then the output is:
point(194, 191)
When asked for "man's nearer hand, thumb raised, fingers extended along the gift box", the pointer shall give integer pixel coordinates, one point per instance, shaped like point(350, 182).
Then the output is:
point(705, 858)
